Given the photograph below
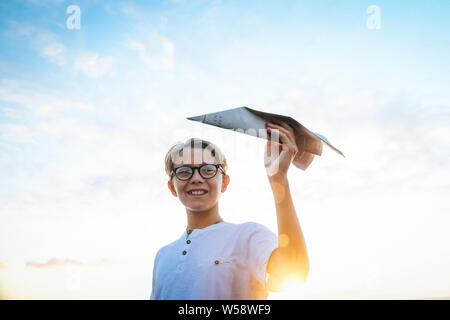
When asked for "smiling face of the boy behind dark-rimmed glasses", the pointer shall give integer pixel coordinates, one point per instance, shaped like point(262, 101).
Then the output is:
point(214, 187)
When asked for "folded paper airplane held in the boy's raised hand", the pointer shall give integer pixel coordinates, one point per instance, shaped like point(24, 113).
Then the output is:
point(253, 122)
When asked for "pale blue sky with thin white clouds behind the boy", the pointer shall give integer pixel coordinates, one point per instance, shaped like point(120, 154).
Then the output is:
point(88, 111)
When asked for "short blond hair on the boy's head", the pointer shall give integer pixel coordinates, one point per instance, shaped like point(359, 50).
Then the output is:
point(178, 148)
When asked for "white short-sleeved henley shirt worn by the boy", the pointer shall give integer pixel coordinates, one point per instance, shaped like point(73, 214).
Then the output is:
point(222, 261)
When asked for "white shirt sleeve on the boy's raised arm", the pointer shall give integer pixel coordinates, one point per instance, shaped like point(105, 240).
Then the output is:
point(261, 243)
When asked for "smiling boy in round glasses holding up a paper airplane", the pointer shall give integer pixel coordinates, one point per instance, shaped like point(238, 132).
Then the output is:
point(214, 259)
